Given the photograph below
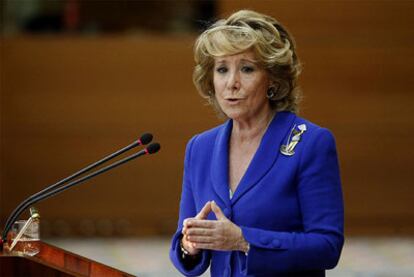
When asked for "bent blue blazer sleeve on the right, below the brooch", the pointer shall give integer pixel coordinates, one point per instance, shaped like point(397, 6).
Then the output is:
point(319, 246)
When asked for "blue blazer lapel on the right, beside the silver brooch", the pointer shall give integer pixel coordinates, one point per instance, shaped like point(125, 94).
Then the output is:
point(265, 155)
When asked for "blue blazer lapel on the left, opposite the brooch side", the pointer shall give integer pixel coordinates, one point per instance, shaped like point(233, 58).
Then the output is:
point(220, 163)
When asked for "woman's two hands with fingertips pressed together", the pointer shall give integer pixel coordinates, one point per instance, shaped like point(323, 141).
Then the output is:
point(221, 234)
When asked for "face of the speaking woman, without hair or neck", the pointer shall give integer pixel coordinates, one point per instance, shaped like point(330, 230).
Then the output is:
point(240, 85)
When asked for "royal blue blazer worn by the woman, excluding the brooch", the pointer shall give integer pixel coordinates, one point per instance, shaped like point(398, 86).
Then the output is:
point(289, 208)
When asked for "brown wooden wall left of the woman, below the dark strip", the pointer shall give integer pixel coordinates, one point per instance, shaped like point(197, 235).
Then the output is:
point(70, 101)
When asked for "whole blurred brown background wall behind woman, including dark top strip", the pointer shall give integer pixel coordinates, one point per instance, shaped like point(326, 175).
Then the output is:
point(81, 79)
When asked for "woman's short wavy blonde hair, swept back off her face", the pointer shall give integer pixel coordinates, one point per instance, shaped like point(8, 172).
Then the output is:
point(274, 48)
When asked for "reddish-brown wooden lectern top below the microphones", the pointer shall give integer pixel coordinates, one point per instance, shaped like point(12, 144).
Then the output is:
point(53, 261)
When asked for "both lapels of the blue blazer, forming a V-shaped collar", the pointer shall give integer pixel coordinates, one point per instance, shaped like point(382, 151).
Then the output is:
point(261, 163)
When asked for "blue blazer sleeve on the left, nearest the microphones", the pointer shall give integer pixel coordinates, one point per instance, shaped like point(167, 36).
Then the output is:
point(187, 209)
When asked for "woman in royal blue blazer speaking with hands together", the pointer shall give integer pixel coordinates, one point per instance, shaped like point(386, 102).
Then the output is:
point(261, 193)
